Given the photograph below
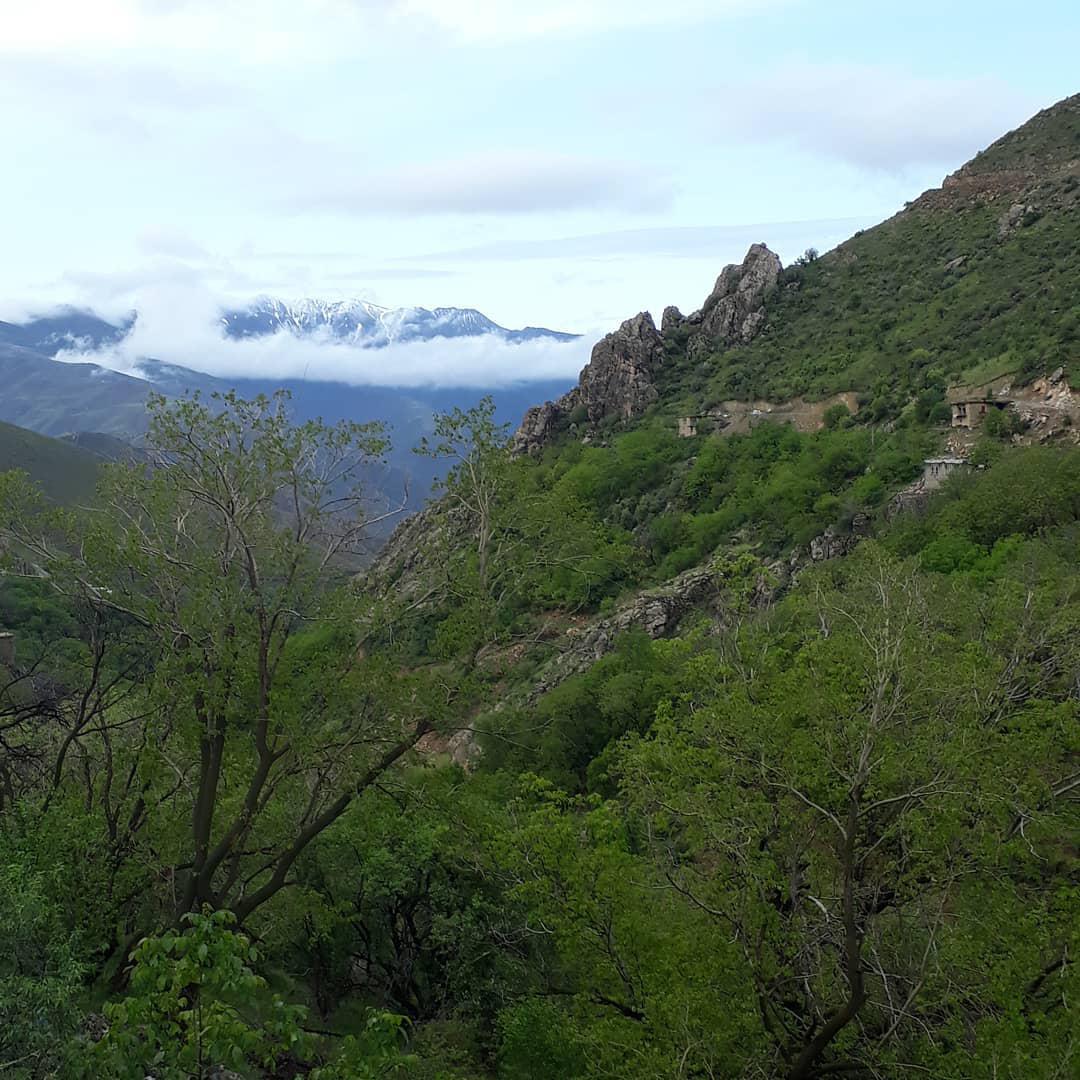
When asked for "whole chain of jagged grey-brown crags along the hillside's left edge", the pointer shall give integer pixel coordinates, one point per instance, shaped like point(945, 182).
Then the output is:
point(620, 379)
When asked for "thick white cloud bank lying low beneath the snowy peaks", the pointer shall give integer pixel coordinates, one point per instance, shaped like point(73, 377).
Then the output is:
point(182, 327)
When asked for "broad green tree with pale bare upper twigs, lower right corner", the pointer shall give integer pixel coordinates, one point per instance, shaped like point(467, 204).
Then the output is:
point(836, 799)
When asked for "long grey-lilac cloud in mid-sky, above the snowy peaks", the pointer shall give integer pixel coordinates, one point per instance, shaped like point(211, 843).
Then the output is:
point(497, 183)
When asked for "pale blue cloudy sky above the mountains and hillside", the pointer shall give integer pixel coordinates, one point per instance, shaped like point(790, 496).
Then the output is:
point(563, 164)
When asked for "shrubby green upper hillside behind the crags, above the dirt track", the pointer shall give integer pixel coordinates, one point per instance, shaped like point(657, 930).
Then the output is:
point(980, 276)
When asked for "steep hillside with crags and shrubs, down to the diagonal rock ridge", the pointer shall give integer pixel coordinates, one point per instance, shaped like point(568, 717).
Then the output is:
point(830, 383)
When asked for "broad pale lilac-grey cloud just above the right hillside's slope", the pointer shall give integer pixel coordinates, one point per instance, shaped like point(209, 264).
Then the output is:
point(874, 118)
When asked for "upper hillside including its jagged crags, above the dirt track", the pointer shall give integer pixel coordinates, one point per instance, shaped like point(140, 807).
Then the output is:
point(975, 280)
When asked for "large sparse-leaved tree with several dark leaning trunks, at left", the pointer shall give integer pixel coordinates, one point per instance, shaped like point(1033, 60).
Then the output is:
point(260, 722)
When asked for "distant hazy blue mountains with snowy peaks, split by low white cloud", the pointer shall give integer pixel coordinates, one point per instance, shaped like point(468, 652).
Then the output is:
point(62, 399)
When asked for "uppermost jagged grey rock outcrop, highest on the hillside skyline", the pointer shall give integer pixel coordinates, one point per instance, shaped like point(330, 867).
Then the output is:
point(735, 312)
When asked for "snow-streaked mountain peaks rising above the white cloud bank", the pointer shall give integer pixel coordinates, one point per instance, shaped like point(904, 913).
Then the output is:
point(360, 322)
